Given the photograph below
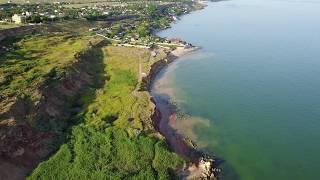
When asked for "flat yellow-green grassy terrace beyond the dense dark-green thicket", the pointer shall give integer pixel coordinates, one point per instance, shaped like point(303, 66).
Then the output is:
point(116, 101)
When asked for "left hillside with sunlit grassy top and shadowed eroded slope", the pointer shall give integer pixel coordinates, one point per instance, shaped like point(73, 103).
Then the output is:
point(41, 78)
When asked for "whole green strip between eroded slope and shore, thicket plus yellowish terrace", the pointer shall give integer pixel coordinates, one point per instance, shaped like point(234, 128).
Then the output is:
point(115, 138)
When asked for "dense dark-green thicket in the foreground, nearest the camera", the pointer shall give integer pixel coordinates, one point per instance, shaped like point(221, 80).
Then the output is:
point(108, 154)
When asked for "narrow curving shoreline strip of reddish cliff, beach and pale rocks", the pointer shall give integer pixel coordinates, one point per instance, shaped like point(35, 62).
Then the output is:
point(200, 165)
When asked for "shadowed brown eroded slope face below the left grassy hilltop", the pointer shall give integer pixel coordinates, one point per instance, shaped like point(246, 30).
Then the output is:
point(31, 126)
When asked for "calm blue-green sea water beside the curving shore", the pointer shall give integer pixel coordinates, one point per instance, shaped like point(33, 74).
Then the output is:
point(253, 90)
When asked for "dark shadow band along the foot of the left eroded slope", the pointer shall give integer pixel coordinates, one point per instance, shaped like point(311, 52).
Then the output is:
point(78, 105)
